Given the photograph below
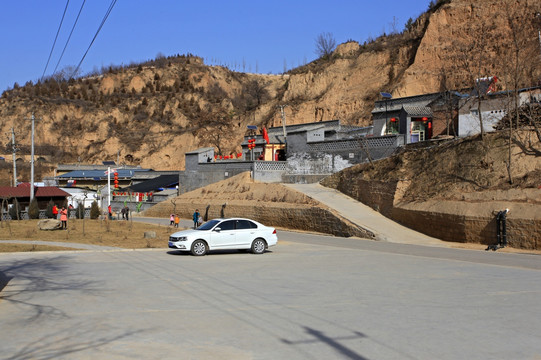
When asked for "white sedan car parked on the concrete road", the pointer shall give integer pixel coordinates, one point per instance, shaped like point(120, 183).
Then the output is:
point(220, 234)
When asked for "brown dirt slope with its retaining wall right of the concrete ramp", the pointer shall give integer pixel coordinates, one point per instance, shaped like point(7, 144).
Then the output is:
point(454, 190)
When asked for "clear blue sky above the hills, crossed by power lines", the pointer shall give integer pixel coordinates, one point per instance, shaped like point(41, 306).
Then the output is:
point(265, 36)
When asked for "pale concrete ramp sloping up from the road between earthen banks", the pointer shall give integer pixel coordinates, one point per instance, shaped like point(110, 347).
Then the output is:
point(360, 214)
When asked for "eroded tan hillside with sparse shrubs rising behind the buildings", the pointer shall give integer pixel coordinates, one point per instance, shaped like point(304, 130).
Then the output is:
point(151, 114)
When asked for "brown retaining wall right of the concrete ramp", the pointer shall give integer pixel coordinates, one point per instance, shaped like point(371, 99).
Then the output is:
point(457, 221)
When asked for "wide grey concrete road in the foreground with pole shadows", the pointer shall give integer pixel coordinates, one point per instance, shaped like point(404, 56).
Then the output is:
point(311, 297)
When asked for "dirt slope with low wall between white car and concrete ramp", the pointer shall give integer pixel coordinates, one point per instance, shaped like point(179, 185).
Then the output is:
point(271, 204)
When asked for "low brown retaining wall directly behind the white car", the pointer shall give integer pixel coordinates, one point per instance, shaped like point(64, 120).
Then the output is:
point(284, 215)
